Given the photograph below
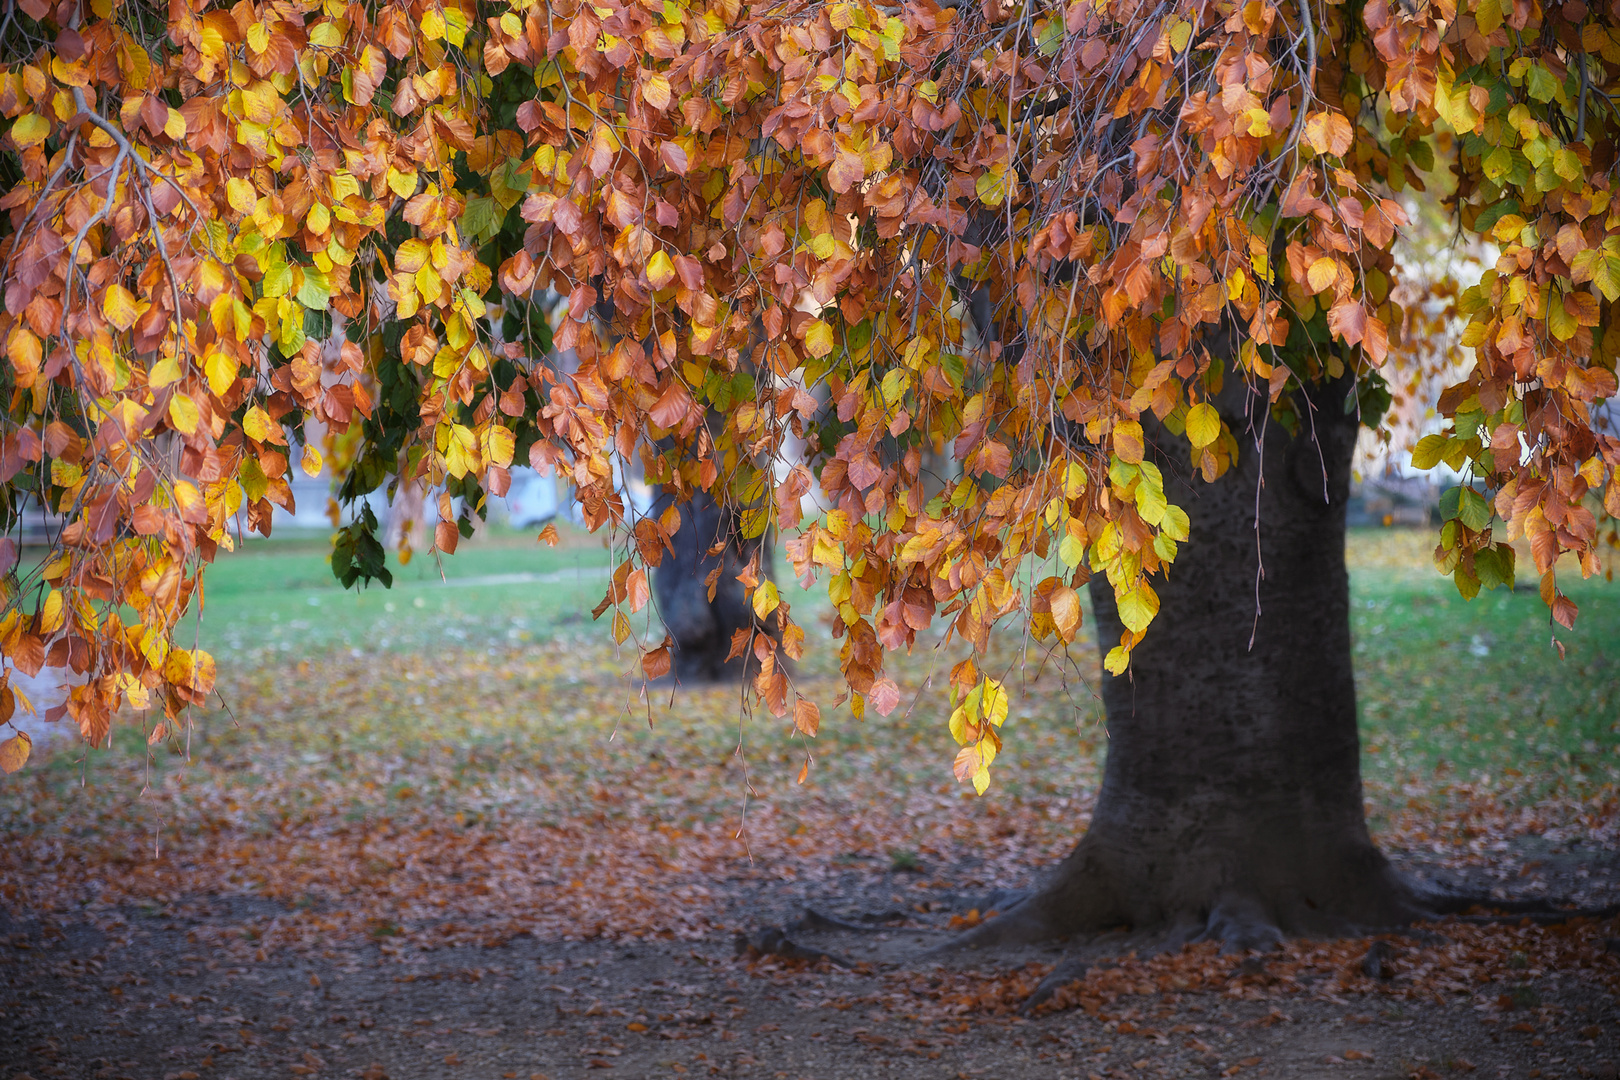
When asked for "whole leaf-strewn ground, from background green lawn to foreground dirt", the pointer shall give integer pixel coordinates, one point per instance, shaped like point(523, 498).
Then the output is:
point(433, 835)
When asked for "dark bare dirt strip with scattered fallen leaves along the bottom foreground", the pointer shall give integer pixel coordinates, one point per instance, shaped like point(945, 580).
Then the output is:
point(185, 993)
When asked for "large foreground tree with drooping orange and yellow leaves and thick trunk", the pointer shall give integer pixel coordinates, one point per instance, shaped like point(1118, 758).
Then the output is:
point(1130, 261)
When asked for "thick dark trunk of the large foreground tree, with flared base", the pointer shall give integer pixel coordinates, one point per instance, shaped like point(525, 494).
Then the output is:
point(1232, 802)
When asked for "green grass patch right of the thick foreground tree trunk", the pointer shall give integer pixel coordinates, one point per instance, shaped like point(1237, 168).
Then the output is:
point(1477, 687)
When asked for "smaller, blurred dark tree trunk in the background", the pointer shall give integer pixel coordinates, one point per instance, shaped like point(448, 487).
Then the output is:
point(704, 627)
